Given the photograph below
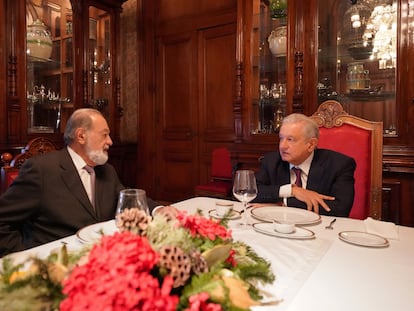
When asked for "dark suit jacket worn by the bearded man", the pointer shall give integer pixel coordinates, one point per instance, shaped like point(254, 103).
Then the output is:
point(47, 201)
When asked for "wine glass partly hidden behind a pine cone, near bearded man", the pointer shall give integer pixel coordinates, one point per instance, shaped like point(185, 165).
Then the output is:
point(128, 199)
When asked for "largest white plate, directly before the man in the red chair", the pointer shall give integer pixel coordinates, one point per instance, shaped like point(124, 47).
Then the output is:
point(291, 215)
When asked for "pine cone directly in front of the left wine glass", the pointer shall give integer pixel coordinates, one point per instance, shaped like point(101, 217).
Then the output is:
point(134, 220)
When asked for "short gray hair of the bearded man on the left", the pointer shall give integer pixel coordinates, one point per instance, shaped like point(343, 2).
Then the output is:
point(80, 118)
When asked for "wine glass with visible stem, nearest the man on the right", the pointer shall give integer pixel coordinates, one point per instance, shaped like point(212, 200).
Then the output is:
point(244, 189)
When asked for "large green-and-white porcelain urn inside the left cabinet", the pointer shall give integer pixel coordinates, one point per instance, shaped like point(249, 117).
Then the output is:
point(38, 40)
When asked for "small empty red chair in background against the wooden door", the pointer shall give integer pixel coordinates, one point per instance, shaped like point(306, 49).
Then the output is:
point(221, 183)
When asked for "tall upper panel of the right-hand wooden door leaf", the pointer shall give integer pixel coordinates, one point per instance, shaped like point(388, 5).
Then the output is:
point(217, 65)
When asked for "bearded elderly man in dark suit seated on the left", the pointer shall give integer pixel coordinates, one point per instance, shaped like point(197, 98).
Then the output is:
point(52, 197)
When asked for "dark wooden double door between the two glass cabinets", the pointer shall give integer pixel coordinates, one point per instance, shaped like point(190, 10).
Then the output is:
point(194, 100)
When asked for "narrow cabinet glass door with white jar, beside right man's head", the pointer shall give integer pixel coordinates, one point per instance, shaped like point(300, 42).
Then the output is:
point(269, 42)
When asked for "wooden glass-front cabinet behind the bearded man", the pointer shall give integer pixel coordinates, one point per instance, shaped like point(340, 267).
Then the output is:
point(59, 56)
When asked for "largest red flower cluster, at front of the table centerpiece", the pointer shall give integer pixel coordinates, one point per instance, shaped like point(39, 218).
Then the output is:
point(117, 277)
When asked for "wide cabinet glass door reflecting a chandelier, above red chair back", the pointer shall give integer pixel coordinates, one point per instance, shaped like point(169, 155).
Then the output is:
point(357, 58)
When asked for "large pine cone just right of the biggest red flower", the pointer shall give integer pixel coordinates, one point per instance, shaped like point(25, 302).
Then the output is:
point(177, 263)
